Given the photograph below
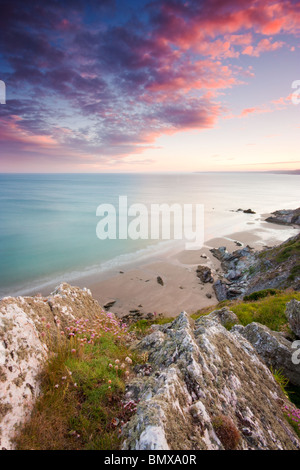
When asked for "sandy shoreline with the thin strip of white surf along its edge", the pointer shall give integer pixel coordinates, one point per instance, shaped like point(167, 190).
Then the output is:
point(132, 287)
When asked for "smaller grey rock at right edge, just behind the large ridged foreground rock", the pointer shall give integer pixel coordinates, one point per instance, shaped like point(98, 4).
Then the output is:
point(273, 348)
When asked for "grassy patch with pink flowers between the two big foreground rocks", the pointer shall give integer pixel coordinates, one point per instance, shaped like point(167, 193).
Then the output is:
point(82, 388)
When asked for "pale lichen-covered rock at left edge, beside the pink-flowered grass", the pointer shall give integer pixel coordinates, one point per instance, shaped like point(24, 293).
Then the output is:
point(26, 326)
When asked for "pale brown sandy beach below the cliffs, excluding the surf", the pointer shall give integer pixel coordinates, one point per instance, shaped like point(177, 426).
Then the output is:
point(138, 288)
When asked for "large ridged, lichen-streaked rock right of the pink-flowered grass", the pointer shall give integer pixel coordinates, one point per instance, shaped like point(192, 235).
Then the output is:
point(205, 388)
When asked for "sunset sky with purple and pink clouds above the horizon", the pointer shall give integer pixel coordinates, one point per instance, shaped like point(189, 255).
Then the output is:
point(147, 86)
